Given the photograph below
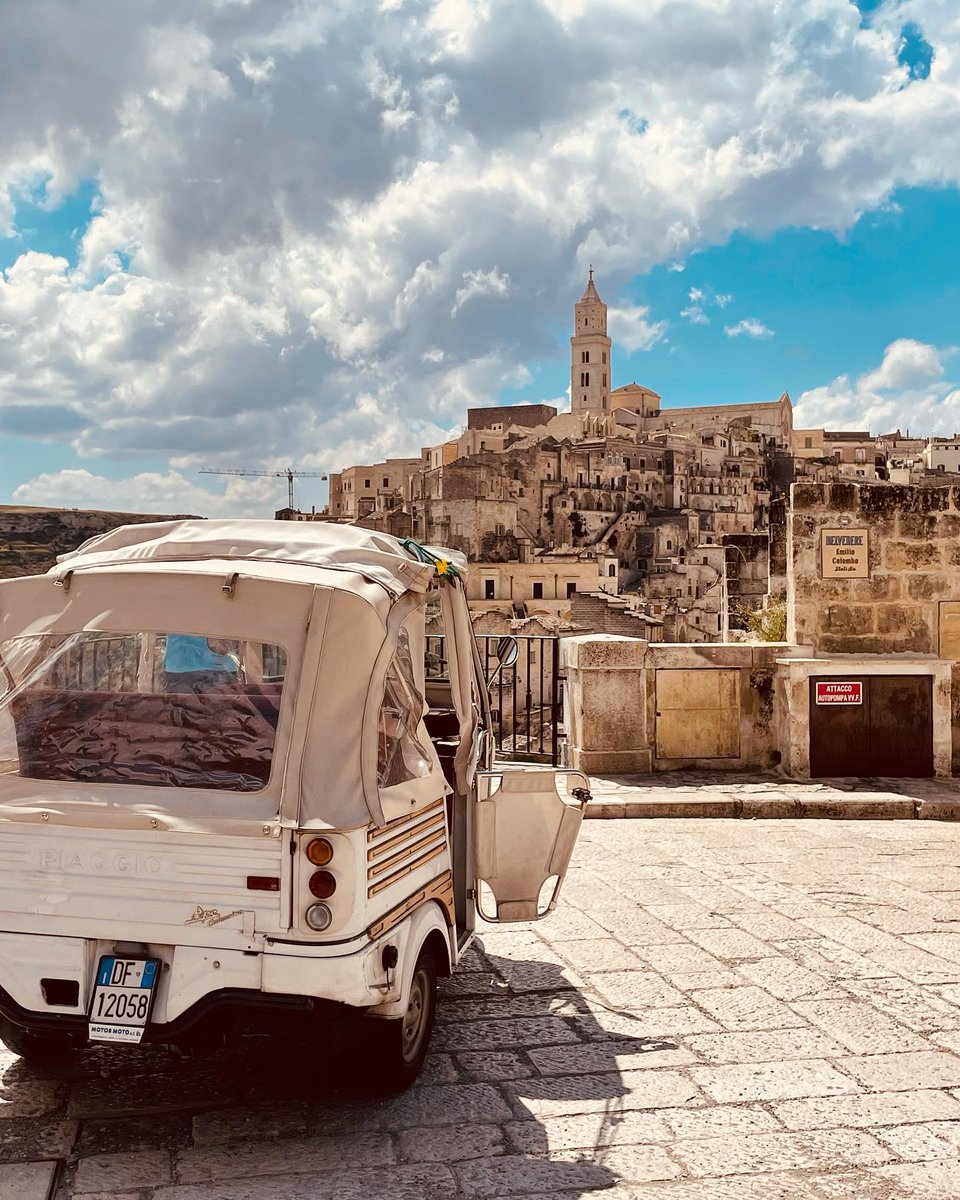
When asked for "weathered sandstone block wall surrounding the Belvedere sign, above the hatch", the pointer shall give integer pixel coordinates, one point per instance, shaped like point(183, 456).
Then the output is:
point(914, 560)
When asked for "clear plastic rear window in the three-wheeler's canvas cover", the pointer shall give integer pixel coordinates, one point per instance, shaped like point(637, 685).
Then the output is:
point(160, 710)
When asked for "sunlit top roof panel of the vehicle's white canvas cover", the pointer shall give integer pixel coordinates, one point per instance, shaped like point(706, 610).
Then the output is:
point(376, 556)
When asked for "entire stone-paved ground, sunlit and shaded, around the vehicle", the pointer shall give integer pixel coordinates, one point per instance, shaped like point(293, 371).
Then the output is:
point(718, 1011)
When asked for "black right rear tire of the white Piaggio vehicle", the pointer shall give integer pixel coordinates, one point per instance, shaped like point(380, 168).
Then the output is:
point(399, 1047)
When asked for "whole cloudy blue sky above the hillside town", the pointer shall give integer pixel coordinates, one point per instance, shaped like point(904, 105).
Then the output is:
point(771, 205)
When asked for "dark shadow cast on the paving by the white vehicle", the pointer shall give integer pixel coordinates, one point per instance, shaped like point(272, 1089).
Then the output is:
point(515, 1047)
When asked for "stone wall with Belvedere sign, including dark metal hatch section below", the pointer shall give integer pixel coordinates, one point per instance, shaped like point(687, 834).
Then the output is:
point(874, 591)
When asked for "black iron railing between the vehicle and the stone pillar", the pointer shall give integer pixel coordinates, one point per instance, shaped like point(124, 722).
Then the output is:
point(526, 699)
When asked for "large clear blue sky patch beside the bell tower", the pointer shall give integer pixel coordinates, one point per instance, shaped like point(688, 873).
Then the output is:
point(832, 303)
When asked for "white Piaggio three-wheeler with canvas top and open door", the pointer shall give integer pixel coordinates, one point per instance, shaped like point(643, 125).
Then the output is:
point(166, 815)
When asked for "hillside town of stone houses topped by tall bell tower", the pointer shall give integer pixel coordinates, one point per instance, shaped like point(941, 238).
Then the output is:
point(626, 517)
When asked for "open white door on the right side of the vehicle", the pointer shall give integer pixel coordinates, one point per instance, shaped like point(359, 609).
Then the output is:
point(526, 833)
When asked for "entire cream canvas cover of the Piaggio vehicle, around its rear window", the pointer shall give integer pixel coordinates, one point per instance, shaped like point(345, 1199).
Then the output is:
point(337, 598)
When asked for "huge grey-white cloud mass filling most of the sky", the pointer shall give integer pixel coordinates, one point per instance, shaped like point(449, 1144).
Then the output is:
point(322, 229)
